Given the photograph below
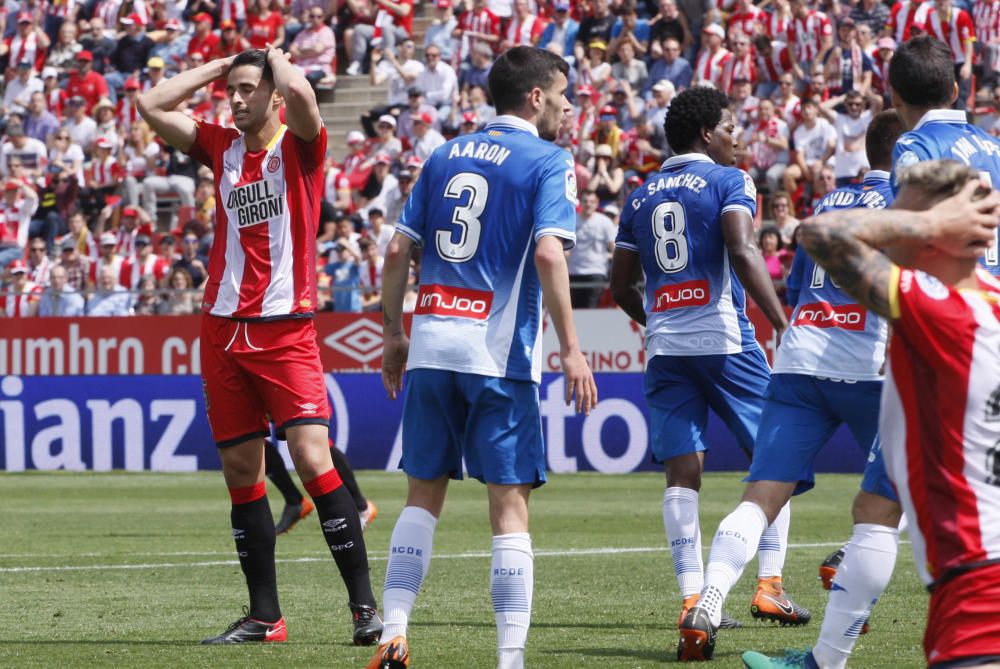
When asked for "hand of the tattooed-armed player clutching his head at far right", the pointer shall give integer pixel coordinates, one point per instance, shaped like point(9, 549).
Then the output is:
point(963, 226)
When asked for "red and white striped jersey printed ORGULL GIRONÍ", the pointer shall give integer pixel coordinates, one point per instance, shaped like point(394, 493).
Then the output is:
point(263, 259)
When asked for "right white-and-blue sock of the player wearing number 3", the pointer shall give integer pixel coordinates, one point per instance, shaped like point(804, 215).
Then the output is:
point(512, 578)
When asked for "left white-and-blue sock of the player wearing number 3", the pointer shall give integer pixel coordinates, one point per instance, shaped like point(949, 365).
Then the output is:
point(409, 559)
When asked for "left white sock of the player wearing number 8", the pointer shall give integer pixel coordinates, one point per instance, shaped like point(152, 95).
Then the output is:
point(680, 521)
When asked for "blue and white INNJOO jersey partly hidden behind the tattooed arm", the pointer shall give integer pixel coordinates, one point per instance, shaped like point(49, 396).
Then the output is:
point(829, 333)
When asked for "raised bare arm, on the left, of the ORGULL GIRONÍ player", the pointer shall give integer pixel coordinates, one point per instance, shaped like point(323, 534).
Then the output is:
point(158, 106)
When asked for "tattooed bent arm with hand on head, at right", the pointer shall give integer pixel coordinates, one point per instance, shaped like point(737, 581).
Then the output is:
point(846, 242)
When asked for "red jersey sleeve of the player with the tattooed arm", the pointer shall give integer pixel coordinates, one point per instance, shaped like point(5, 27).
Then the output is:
point(924, 311)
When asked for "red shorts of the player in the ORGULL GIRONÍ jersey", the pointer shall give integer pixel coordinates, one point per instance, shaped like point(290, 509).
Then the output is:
point(260, 371)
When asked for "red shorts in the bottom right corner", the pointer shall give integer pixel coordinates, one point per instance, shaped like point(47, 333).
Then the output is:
point(964, 617)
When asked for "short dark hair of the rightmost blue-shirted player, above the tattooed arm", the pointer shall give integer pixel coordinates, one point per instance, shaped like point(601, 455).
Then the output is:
point(922, 72)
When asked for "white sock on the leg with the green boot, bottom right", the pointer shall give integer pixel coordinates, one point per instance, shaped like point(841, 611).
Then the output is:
point(861, 579)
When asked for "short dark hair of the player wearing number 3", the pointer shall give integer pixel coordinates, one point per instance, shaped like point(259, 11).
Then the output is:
point(518, 71)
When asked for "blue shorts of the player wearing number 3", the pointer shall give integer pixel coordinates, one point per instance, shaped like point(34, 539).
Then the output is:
point(494, 423)
